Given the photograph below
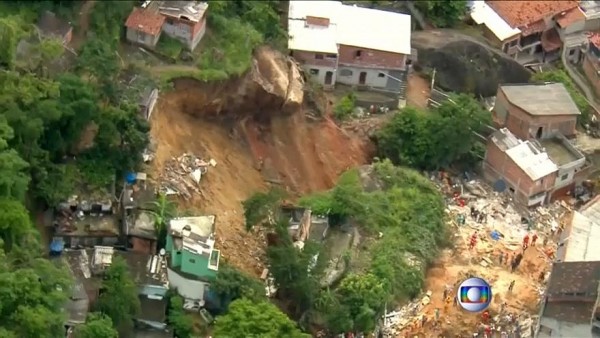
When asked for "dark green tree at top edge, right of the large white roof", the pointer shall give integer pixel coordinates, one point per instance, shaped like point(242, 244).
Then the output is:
point(443, 13)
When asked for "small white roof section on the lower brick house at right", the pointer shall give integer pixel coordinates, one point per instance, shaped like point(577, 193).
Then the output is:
point(534, 162)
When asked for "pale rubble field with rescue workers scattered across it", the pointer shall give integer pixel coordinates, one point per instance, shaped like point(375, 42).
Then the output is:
point(502, 233)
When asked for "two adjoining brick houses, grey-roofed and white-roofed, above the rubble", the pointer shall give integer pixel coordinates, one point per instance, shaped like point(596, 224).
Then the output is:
point(531, 154)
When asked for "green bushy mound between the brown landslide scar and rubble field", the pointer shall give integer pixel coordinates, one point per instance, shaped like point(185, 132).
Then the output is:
point(409, 213)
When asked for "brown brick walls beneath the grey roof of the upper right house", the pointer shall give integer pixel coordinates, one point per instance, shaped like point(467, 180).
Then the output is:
point(525, 126)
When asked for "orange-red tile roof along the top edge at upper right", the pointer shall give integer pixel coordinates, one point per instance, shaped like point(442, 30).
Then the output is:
point(521, 13)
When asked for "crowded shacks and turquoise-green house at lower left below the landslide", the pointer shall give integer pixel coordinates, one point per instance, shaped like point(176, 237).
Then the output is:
point(94, 226)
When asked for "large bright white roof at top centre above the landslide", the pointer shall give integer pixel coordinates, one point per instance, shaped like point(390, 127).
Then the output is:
point(355, 26)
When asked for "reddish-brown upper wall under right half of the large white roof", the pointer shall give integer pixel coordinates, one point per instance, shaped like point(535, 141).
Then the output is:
point(370, 58)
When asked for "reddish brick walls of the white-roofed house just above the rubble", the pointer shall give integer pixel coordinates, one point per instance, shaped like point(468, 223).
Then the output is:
point(504, 167)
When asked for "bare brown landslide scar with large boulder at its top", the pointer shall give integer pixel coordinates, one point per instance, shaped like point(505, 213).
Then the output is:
point(256, 134)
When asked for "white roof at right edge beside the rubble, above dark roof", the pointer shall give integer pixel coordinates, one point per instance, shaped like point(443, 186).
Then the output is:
point(581, 243)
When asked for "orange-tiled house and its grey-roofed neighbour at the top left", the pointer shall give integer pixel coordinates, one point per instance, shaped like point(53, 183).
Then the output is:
point(182, 20)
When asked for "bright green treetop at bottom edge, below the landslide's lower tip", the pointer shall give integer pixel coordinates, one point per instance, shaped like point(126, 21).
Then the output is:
point(248, 318)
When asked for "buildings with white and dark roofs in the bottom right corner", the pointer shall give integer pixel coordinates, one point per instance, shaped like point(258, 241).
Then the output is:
point(570, 304)
